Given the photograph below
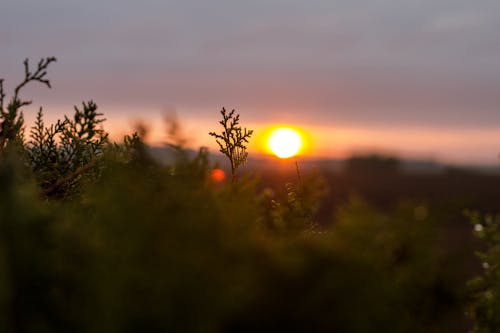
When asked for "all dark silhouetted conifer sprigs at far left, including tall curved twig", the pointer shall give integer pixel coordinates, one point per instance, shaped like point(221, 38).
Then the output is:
point(68, 153)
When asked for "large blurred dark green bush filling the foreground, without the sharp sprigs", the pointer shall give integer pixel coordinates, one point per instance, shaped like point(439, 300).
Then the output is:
point(162, 249)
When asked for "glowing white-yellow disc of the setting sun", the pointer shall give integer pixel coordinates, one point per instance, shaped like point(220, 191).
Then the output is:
point(285, 142)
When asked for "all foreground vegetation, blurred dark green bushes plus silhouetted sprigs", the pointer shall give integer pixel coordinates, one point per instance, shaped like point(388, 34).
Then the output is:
point(97, 236)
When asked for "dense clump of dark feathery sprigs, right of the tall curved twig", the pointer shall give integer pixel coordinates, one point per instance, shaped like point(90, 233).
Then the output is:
point(61, 153)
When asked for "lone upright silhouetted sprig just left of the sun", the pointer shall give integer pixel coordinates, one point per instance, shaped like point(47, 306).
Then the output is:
point(232, 140)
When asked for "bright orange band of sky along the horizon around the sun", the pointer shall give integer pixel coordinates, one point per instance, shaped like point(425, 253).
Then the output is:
point(458, 146)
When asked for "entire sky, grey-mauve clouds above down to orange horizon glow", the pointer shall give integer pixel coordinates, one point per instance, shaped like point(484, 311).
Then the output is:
point(417, 78)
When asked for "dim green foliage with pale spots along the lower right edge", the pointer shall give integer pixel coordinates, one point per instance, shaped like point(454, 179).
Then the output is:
point(485, 304)
